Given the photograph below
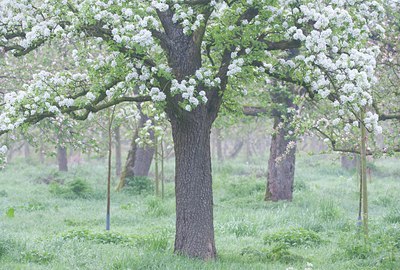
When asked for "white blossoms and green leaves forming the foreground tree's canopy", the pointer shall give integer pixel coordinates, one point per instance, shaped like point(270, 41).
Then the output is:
point(334, 59)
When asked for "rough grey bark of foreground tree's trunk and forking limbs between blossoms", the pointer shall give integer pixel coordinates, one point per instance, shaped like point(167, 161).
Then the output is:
point(191, 134)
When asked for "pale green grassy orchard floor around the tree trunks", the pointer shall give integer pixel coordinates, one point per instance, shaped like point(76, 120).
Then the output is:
point(61, 226)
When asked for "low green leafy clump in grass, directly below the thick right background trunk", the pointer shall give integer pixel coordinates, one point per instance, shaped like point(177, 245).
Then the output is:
point(293, 237)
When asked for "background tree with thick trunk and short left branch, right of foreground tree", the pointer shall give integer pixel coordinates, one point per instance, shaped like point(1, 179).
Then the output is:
point(282, 154)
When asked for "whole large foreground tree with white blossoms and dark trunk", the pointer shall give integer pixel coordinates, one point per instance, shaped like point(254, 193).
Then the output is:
point(185, 55)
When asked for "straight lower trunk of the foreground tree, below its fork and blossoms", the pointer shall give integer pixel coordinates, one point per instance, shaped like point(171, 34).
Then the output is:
point(193, 186)
